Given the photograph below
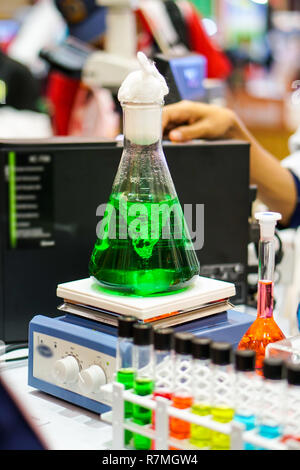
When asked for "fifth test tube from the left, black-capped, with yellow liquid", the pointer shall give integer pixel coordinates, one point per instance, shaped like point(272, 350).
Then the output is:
point(201, 383)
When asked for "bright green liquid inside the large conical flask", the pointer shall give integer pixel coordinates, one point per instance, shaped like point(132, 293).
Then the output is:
point(157, 259)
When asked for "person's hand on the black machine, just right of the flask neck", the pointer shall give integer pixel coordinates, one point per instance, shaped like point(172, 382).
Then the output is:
point(188, 120)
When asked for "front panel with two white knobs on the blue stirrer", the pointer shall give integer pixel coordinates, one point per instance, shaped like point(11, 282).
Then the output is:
point(72, 361)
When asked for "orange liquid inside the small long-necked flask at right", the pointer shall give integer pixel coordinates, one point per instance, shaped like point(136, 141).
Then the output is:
point(264, 329)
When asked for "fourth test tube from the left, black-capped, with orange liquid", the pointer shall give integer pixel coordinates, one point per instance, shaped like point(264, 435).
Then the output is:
point(182, 394)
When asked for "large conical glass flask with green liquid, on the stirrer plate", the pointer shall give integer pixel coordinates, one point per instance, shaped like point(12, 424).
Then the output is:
point(144, 247)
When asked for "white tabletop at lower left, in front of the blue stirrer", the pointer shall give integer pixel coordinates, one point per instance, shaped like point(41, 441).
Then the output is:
point(62, 425)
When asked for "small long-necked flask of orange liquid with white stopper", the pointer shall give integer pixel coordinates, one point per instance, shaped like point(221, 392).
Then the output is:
point(264, 329)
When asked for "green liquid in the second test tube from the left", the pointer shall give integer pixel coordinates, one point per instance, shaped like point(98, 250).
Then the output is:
point(141, 415)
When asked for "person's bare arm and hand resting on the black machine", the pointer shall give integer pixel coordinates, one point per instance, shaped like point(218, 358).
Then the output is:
point(188, 120)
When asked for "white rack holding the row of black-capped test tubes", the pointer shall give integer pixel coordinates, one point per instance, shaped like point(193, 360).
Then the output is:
point(115, 396)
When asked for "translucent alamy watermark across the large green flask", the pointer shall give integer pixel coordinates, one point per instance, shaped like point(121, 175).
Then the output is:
point(152, 221)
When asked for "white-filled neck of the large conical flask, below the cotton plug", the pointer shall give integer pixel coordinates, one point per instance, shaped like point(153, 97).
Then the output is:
point(142, 124)
